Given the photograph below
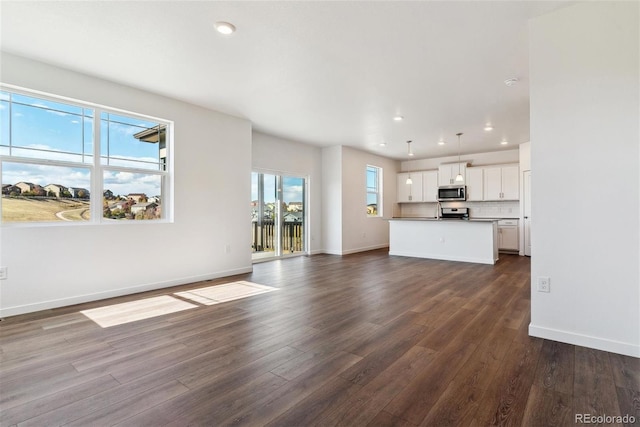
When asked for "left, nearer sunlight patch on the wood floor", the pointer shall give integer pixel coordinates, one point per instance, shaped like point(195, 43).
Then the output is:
point(132, 311)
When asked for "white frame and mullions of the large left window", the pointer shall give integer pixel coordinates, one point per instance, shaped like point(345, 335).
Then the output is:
point(95, 167)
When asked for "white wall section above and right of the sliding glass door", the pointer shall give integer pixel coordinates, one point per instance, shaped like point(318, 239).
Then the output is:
point(273, 154)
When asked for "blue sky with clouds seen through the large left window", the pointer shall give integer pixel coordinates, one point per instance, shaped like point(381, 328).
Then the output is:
point(67, 131)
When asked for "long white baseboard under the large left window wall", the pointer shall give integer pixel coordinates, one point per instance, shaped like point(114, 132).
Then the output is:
point(79, 299)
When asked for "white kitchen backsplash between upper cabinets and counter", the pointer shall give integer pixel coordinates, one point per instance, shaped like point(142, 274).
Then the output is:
point(476, 209)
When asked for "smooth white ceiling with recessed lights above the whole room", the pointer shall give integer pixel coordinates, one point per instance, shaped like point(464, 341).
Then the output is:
point(323, 73)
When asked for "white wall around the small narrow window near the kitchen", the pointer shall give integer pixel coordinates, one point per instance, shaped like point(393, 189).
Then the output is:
point(360, 232)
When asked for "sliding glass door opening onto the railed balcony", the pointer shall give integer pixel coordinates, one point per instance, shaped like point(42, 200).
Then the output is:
point(278, 215)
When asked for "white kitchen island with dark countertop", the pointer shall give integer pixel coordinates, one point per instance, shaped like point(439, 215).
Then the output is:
point(474, 240)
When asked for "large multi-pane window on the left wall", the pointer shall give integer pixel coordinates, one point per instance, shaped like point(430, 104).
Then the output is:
point(72, 162)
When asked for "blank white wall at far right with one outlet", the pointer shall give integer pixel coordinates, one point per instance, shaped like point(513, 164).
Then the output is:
point(585, 155)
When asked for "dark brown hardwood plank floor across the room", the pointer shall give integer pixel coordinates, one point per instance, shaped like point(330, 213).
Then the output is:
point(359, 340)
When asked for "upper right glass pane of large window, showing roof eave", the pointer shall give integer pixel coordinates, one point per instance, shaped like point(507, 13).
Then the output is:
point(131, 142)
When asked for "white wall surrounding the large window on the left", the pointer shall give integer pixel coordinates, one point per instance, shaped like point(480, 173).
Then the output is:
point(212, 190)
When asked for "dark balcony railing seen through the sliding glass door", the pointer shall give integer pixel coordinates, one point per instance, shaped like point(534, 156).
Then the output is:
point(264, 236)
